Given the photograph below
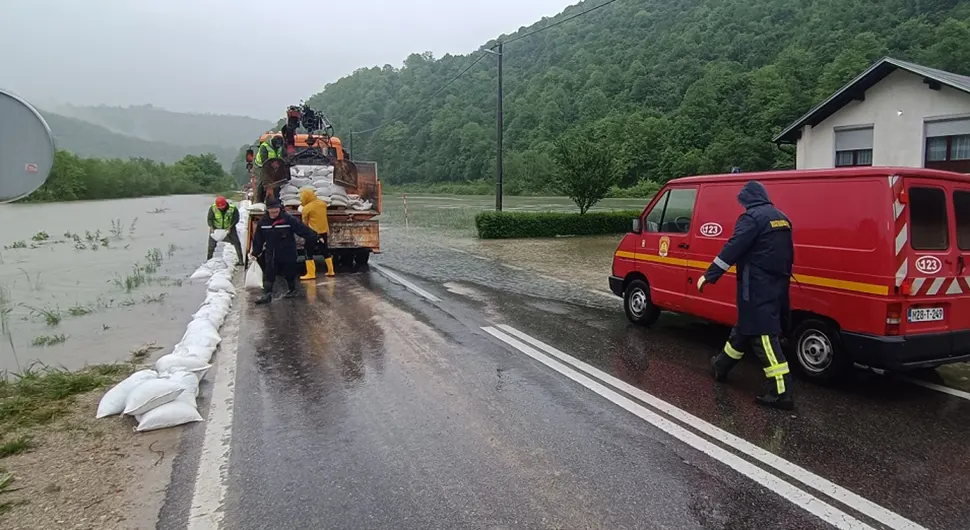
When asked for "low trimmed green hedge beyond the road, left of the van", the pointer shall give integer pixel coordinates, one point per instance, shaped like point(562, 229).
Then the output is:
point(507, 225)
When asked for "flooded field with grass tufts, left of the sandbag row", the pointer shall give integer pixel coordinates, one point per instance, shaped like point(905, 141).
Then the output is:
point(91, 282)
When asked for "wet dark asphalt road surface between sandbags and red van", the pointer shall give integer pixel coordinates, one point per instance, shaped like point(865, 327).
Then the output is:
point(364, 405)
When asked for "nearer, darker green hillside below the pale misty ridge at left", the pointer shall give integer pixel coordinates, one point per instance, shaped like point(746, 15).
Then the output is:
point(90, 140)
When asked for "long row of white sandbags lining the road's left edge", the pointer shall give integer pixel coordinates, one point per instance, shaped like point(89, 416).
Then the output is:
point(166, 396)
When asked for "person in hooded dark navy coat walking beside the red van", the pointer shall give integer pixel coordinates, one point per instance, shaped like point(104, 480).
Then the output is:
point(761, 247)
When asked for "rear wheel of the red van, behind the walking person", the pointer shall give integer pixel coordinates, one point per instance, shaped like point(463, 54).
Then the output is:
point(817, 350)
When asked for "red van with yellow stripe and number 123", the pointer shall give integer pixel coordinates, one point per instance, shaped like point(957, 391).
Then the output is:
point(881, 272)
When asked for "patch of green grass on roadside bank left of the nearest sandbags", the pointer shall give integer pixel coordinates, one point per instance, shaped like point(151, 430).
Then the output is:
point(41, 394)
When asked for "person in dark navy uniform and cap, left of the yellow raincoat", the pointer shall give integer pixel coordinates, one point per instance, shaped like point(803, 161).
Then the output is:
point(274, 248)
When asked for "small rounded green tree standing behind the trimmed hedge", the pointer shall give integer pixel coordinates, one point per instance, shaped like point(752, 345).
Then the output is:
point(586, 170)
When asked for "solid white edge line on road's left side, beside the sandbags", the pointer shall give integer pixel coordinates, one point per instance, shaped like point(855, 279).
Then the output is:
point(212, 477)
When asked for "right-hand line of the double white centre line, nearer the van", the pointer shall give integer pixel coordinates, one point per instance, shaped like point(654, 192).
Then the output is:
point(829, 488)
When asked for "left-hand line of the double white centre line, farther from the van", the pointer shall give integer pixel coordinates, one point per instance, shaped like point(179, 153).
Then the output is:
point(787, 491)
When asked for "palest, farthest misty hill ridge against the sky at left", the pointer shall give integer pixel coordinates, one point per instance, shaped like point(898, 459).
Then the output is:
point(159, 125)
